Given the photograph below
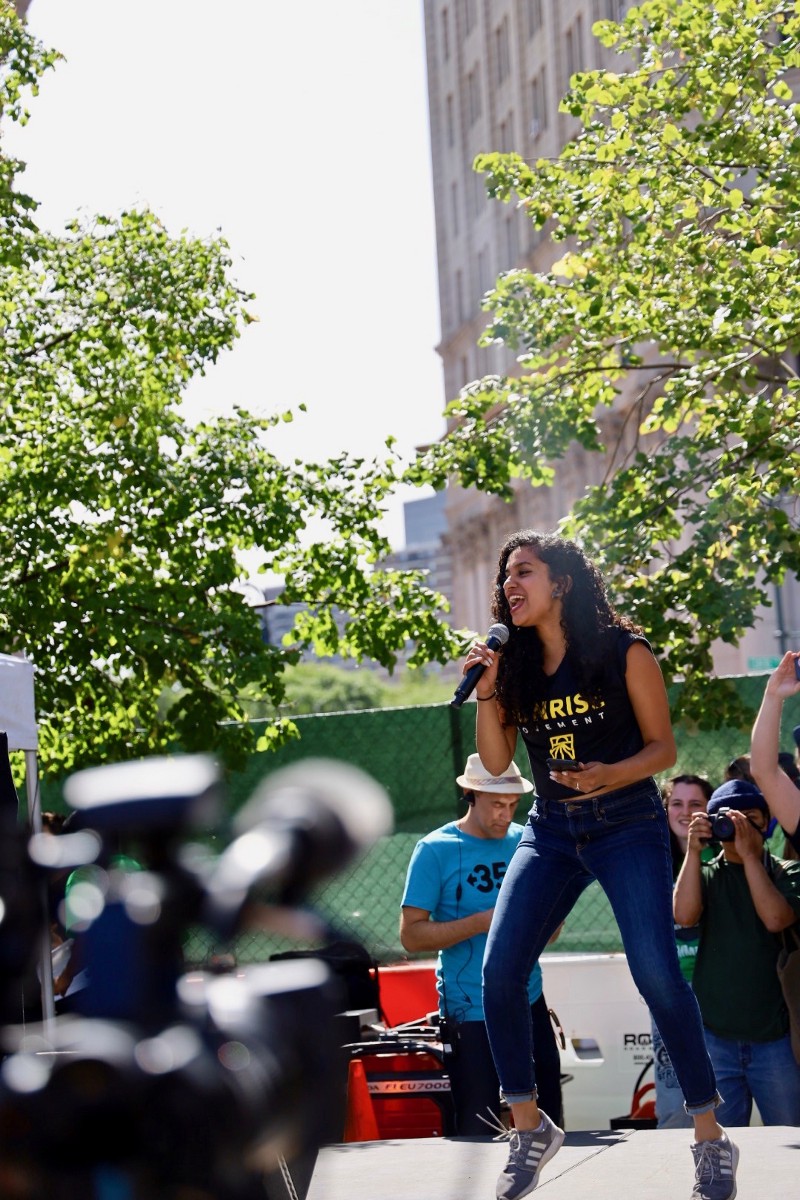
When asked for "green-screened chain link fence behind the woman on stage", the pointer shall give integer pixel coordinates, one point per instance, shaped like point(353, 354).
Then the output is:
point(417, 755)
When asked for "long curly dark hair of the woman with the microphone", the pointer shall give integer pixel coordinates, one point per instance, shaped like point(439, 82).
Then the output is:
point(587, 619)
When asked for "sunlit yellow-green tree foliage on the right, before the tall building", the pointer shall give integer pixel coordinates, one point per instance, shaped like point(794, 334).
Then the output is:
point(678, 209)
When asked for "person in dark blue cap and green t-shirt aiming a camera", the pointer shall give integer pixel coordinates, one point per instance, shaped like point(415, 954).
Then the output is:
point(742, 902)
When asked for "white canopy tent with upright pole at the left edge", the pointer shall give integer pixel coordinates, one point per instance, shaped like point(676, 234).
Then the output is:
point(19, 719)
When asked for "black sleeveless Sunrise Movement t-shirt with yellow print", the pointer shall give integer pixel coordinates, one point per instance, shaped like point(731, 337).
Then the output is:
point(567, 725)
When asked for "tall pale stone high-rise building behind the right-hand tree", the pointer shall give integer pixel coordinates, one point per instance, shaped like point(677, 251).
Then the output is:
point(497, 71)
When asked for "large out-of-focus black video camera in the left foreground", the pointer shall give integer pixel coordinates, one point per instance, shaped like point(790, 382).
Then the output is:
point(166, 1084)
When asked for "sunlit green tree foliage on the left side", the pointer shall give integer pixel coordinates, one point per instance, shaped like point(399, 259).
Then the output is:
point(123, 526)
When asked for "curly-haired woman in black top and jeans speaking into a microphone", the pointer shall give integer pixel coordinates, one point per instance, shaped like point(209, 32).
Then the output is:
point(582, 687)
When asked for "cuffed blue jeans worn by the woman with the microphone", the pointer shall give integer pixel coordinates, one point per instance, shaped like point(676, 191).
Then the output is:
point(623, 842)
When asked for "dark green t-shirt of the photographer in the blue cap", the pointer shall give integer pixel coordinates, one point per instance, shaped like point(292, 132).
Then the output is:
point(736, 980)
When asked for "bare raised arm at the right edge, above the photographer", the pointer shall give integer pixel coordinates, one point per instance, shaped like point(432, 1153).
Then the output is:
point(765, 748)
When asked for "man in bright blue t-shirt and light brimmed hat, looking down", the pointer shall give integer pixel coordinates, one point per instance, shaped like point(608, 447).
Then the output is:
point(452, 889)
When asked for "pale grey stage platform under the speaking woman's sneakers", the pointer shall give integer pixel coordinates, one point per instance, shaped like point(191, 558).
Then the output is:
point(641, 1165)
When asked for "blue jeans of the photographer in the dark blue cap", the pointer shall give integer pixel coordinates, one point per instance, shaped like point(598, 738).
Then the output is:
point(765, 1072)
